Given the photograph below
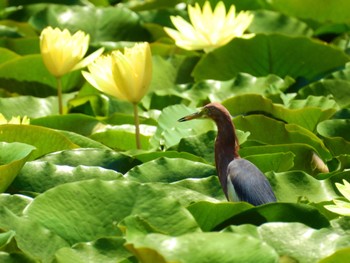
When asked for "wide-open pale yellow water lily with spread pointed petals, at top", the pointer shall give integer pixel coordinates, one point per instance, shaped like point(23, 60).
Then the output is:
point(209, 29)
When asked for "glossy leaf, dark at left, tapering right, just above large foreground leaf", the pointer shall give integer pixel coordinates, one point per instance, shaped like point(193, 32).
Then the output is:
point(39, 176)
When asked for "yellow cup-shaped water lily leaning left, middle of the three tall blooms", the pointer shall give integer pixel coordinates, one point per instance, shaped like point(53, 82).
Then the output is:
point(125, 76)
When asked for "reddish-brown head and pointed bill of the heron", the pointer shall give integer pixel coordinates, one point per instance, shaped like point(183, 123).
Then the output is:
point(212, 110)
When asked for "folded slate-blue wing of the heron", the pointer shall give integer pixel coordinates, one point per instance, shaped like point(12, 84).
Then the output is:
point(249, 183)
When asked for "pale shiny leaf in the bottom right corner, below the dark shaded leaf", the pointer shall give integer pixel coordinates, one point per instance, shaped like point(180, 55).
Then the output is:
point(310, 246)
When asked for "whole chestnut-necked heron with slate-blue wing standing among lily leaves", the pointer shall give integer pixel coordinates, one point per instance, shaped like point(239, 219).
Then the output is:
point(240, 179)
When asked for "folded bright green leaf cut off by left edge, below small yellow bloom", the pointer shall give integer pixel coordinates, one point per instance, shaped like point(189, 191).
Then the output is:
point(12, 158)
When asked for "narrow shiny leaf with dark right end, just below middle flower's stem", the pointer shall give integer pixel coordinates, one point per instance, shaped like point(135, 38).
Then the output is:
point(93, 157)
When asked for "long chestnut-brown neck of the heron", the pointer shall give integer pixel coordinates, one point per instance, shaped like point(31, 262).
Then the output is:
point(226, 148)
